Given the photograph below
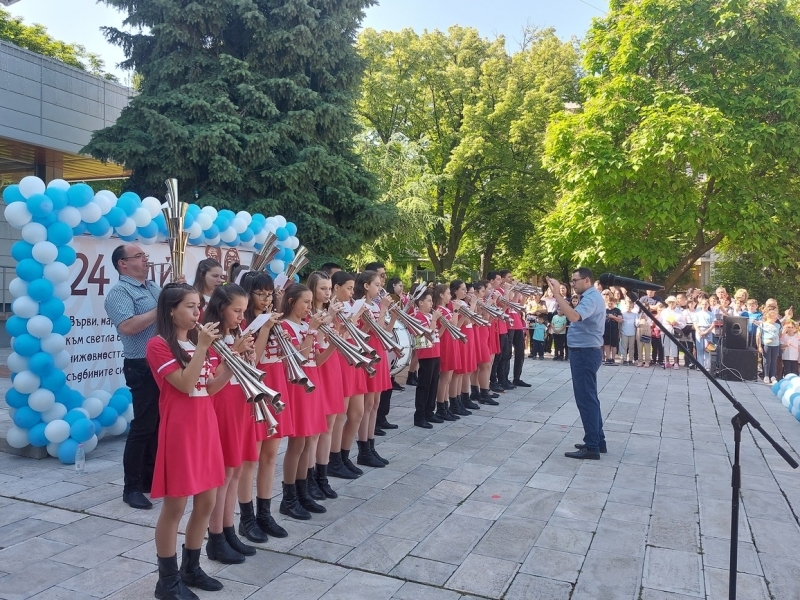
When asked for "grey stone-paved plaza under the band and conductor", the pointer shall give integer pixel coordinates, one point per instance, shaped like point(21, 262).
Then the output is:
point(486, 507)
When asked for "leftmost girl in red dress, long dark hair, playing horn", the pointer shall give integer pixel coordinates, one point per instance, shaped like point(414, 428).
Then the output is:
point(189, 459)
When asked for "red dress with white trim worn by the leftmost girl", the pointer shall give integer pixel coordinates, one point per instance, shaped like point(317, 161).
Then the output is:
point(189, 456)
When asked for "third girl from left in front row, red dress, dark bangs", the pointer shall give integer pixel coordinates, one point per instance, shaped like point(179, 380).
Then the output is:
point(261, 524)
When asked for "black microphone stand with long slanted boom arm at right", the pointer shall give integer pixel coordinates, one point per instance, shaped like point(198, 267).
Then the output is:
point(740, 419)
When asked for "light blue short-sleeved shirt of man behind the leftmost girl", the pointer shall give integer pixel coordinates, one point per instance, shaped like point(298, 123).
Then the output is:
point(127, 299)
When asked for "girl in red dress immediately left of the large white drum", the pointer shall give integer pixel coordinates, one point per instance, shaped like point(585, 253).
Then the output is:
point(368, 286)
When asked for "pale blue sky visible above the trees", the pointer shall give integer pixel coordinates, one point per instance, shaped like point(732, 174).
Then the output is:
point(79, 21)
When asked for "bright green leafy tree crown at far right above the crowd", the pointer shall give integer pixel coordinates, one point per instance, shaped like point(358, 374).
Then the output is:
point(689, 136)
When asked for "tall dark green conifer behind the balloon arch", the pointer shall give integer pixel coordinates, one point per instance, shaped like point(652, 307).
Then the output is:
point(248, 103)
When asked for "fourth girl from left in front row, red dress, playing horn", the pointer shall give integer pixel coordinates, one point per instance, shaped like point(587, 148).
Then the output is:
point(308, 414)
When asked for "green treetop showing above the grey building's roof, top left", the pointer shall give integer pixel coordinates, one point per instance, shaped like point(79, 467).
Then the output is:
point(36, 39)
